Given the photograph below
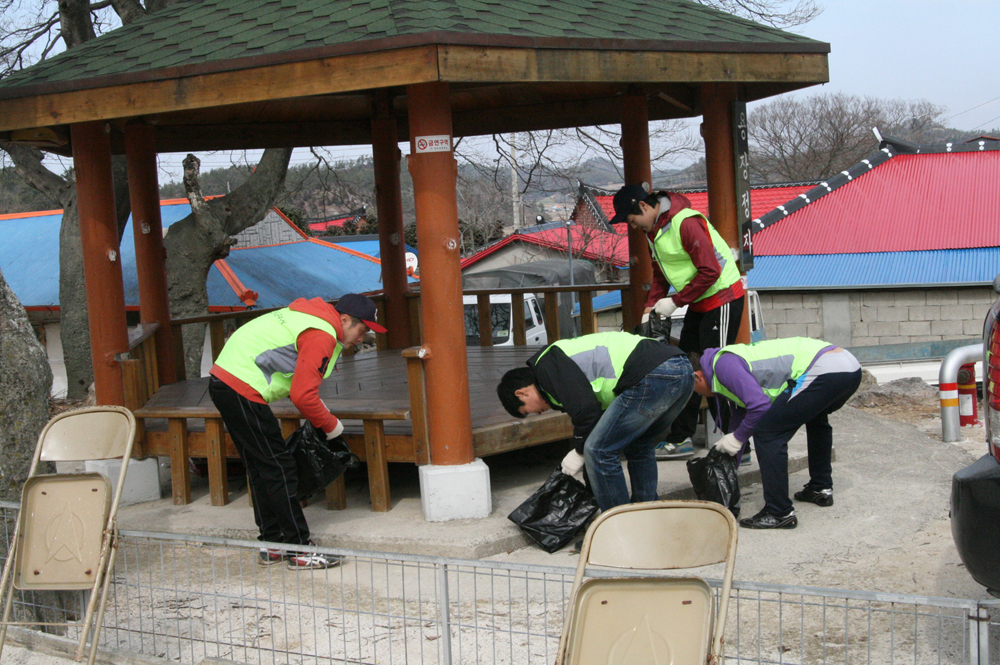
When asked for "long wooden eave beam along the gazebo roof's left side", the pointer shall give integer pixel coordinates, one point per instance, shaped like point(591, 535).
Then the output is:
point(283, 81)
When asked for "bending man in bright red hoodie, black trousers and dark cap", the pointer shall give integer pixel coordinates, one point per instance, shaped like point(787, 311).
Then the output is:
point(285, 353)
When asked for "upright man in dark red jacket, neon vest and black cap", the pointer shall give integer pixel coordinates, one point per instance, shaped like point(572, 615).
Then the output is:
point(690, 255)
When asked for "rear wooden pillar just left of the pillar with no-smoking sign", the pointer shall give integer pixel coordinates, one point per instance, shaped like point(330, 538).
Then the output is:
point(391, 238)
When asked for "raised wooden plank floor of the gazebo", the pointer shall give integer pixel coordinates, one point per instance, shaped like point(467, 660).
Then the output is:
point(376, 381)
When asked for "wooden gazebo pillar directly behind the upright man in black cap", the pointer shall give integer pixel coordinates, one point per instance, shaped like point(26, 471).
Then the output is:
point(635, 153)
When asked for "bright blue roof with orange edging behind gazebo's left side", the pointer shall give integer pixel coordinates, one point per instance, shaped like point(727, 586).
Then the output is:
point(29, 260)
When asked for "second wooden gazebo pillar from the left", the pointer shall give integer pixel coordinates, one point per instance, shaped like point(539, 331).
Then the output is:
point(150, 255)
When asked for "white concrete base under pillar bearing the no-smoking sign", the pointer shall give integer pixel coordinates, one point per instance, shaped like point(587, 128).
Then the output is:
point(455, 492)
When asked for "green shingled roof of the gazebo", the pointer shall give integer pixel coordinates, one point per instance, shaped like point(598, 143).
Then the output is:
point(193, 36)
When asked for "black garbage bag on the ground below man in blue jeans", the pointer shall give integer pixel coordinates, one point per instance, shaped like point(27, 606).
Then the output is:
point(556, 512)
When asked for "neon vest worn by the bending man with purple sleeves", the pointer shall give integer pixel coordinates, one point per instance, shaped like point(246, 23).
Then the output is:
point(773, 363)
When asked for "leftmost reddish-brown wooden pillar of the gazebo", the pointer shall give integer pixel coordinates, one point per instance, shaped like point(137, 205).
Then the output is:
point(102, 266)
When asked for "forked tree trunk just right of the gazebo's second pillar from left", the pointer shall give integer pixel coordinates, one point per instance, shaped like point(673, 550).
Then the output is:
point(194, 243)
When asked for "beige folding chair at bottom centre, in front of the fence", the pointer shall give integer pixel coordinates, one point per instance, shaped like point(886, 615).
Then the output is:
point(651, 620)
